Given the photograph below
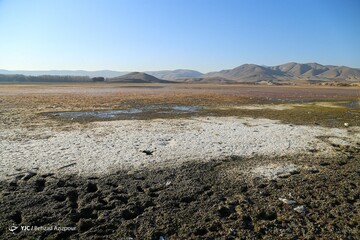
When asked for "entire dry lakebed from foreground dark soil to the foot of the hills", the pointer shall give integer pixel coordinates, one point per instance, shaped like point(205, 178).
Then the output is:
point(179, 161)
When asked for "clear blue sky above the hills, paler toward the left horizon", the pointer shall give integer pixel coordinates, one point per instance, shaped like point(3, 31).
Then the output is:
point(204, 35)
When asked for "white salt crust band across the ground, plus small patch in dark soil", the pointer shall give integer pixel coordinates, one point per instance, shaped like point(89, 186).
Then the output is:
point(107, 146)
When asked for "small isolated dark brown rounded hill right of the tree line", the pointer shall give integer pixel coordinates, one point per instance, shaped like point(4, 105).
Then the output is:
point(137, 77)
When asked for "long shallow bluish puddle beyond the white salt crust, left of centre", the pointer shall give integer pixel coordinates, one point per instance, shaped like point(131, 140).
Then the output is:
point(132, 113)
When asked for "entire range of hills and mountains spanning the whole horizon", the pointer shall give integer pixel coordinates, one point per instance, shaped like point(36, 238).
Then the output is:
point(247, 73)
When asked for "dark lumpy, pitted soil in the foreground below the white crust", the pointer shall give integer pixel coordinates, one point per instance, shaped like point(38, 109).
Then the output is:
point(194, 201)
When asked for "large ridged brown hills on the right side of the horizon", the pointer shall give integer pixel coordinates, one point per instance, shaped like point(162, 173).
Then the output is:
point(287, 72)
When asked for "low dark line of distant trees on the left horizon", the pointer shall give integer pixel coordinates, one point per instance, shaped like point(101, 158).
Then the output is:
point(45, 78)
